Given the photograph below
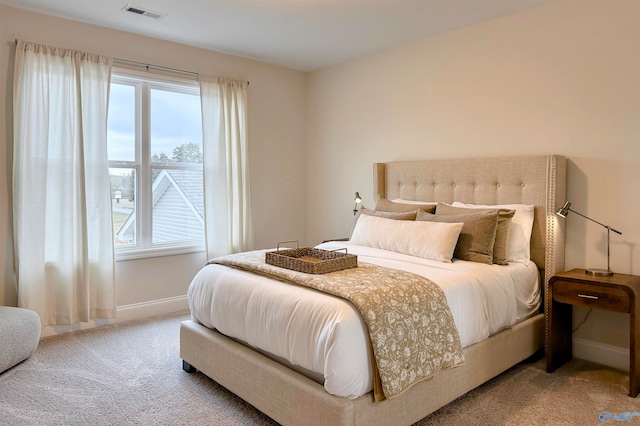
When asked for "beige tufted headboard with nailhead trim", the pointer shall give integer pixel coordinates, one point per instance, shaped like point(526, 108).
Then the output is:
point(537, 180)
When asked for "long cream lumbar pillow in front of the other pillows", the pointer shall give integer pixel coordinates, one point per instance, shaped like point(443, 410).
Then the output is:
point(428, 240)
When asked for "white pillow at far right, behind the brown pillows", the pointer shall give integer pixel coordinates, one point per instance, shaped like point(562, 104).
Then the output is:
point(519, 246)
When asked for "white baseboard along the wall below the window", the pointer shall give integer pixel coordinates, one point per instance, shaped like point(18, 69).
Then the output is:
point(124, 313)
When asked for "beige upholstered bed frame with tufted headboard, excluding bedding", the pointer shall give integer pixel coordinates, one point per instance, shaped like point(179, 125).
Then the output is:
point(295, 396)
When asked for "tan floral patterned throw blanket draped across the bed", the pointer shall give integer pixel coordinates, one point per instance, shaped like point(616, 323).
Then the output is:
point(412, 332)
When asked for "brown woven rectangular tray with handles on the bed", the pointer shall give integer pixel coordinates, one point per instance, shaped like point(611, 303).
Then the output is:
point(311, 260)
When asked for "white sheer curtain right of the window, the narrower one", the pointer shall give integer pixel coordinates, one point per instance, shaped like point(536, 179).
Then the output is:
point(226, 166)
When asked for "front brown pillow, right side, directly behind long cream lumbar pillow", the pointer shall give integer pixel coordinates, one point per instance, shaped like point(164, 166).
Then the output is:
point(477, 236)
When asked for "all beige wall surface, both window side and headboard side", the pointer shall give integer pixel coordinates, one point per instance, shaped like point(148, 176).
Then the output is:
point(562, 78)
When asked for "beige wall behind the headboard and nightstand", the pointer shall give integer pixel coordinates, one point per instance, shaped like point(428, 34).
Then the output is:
point(561, 78)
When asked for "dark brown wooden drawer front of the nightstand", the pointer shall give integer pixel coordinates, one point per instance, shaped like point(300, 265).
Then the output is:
point(593, 296)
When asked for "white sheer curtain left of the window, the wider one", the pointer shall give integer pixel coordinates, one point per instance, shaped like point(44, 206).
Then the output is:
point(61, 203)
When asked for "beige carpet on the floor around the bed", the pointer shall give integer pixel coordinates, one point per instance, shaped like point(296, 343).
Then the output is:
point(131, 374)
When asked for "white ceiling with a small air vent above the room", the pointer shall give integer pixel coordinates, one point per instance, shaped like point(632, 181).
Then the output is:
point(303, 35)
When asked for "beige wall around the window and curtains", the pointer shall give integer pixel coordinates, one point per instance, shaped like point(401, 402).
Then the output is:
point(277, 98)
